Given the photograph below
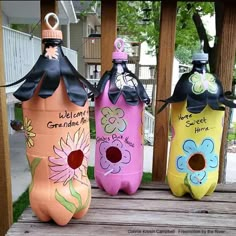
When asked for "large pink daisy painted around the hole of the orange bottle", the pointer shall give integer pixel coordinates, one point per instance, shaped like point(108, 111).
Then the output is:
point(72, 158)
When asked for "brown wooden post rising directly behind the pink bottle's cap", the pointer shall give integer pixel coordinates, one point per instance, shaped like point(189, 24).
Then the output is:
point(108, 32)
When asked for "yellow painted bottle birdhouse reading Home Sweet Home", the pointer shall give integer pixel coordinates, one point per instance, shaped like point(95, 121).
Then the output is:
point(197, 118)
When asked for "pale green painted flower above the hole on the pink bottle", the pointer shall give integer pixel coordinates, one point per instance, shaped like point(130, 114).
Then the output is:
point(112, 120)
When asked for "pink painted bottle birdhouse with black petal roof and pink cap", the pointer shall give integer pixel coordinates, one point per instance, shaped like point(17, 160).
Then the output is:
point(119, 110)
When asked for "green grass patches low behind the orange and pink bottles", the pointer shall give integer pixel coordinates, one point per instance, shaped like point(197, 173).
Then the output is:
point(23, 201)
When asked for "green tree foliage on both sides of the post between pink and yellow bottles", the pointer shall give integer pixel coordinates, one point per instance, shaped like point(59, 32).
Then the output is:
point(132, 13)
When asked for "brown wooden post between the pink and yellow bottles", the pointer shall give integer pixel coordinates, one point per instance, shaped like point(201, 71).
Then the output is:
point(163, 90)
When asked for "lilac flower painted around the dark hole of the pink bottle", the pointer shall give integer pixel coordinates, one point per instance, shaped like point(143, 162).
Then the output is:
point(114, 155)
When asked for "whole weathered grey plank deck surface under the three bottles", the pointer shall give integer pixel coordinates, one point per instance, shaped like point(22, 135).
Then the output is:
point(152, 210)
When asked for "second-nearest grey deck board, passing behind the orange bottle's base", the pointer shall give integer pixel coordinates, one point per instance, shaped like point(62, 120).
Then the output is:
point(147, 218)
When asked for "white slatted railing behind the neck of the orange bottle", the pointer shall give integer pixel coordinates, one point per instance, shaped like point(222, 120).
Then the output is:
point(21, 51)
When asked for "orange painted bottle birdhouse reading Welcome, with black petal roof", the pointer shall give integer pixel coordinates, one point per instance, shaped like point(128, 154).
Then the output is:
point(56, 124)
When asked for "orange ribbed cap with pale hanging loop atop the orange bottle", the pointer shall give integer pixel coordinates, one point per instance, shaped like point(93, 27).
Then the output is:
point(52, 32)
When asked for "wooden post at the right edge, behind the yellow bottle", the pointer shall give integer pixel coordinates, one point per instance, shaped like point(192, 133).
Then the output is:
point(224, 69)
